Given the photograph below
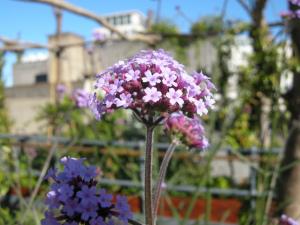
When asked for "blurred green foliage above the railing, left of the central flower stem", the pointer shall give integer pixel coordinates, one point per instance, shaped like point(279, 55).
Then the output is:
point(75, 122)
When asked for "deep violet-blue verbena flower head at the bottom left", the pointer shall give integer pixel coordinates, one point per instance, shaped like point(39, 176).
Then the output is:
point(74, 198)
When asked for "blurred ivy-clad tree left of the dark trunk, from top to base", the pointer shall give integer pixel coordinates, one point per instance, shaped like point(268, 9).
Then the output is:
point(262, 75)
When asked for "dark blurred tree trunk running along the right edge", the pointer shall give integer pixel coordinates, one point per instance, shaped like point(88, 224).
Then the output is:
point(289, 181)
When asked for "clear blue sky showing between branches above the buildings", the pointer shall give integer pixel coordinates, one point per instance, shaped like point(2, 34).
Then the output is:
point(34, 22)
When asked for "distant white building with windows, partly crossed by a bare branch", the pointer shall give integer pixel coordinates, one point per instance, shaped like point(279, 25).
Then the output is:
point(129, 23)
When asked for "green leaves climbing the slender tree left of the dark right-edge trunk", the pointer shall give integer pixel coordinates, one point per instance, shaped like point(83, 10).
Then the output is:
point(261, 79)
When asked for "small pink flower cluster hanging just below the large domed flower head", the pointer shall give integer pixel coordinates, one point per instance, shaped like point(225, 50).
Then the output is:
point(189, 131)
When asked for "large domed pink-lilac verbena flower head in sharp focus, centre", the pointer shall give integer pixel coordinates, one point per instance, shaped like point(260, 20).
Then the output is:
point(153, 85)
